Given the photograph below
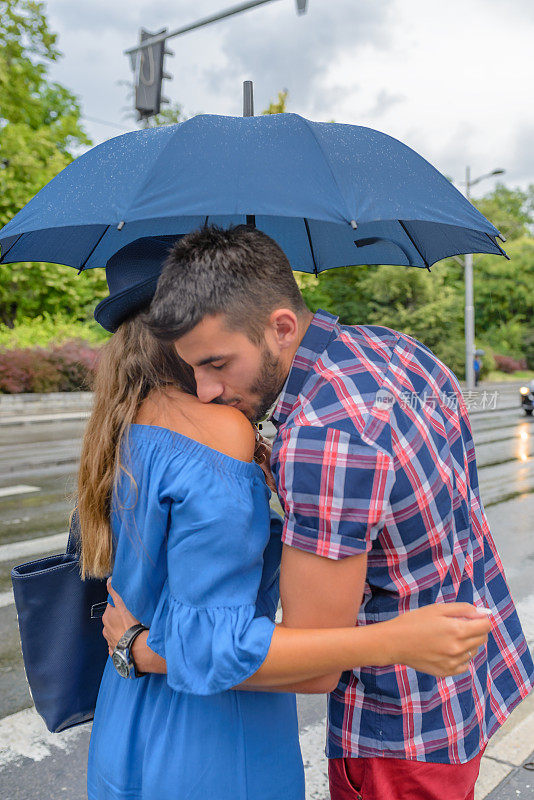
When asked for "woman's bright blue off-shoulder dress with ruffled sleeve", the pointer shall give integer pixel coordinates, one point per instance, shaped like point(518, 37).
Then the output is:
point(197, 554)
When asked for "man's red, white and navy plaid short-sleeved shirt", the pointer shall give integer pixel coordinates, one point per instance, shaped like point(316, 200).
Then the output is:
point(374, 453)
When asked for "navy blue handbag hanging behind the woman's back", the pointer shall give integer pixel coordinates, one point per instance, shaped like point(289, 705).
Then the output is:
point(60, 626)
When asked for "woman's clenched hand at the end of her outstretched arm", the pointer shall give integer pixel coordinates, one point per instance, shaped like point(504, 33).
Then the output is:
point(439, 639)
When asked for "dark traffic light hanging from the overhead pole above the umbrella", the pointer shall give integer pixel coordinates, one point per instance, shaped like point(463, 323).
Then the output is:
point(149, 75)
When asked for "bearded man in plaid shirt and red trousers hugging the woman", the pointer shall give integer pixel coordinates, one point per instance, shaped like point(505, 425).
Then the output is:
point(375, 468)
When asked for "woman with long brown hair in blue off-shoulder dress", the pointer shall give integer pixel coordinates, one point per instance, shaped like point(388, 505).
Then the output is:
point(171, 502)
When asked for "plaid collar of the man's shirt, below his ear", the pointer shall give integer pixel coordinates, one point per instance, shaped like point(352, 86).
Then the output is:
point(313, 343)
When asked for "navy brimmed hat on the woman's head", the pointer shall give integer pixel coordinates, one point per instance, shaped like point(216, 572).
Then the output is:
point(132, 274)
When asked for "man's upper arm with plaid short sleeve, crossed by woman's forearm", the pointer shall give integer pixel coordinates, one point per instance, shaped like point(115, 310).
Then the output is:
point(334, 489)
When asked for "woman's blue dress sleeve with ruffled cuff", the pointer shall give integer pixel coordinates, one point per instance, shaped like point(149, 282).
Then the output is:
point(205, 624)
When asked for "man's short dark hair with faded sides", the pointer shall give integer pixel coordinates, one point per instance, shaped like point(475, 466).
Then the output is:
point(240, 272)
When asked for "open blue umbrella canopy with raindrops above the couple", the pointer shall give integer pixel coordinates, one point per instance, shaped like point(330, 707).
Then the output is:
point(330, 194)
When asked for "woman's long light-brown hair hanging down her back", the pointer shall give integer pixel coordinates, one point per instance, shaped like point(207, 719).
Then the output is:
point(131, 364)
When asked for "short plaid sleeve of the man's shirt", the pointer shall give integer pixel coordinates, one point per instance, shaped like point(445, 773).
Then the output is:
point(334, 488)
